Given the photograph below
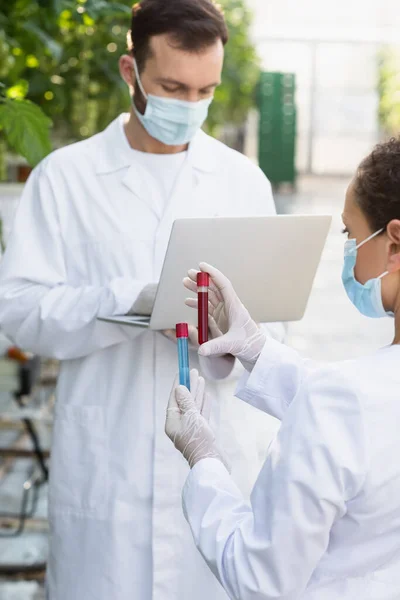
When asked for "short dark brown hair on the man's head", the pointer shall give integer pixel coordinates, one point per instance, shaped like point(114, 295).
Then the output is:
point(193, 25)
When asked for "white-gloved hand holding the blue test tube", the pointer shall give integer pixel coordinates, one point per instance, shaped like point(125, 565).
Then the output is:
point(187, 419)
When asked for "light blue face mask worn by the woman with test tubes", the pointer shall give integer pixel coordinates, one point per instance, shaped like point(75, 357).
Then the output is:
point(367, 297)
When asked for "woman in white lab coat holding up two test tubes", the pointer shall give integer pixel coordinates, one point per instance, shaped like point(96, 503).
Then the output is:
point(324, 518)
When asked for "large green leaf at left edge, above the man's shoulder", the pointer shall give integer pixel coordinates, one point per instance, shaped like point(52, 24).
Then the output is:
point(26, 129)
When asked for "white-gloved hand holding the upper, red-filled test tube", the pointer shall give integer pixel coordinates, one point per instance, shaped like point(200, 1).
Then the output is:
point(230, 323)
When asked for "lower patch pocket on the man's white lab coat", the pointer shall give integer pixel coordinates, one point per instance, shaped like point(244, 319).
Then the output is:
point(79, 461)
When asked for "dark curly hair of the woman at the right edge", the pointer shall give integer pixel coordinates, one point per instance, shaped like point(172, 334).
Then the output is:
point(377, 184)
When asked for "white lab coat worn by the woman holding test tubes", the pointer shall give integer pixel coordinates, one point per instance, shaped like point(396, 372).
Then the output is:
point(324, 518)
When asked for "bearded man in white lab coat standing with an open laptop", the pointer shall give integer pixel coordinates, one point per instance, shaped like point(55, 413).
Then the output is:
point(89, 241)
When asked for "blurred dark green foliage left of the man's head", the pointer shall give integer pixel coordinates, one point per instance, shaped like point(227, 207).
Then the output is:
point(66, 52)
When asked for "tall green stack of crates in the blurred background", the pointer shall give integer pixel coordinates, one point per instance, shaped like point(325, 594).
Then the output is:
point(277, 128)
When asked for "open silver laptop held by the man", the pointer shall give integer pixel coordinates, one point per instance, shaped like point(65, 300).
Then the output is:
point(271, 261)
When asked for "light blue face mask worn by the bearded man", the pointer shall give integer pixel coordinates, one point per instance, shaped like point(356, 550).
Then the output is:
point(170, 121)
